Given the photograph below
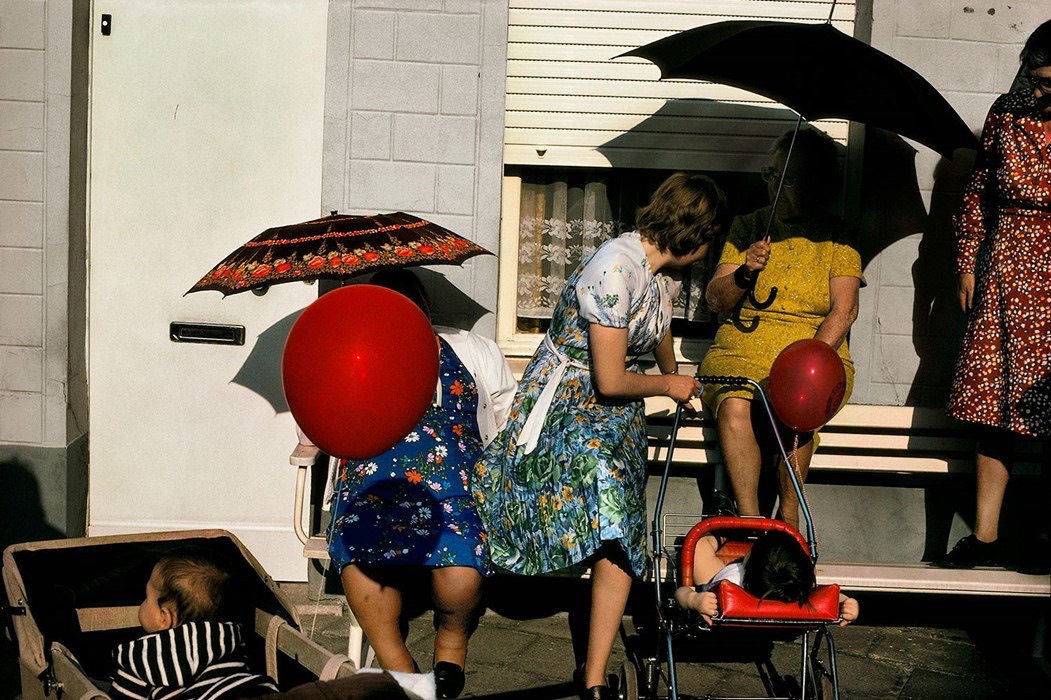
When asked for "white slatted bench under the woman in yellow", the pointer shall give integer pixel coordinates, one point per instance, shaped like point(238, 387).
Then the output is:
point(891, 440)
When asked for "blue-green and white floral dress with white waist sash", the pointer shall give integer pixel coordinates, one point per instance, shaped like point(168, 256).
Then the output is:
point(563, 479)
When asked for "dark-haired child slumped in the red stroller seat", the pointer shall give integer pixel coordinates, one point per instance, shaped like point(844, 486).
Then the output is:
point(776, 568)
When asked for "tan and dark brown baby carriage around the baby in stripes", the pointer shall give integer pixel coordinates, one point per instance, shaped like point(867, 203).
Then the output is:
point(71, 602)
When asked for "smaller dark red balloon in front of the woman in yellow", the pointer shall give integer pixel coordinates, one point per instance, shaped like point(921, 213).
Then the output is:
point(808, 383)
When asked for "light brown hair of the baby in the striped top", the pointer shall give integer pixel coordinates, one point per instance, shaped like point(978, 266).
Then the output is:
point(197, 582)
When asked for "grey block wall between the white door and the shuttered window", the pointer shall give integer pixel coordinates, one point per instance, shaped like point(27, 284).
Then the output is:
point(415, 114)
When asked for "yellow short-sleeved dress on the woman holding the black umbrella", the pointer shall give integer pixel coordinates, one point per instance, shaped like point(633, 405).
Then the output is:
point(805, 257)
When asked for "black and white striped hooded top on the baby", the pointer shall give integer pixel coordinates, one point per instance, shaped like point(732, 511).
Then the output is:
point(193, 662)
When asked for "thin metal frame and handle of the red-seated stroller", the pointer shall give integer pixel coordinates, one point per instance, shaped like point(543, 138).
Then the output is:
point(673, 622)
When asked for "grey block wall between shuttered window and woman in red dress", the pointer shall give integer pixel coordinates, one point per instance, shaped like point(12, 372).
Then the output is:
point(906, 340)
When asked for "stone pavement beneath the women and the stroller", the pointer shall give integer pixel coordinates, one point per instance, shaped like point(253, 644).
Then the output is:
point(902, 647)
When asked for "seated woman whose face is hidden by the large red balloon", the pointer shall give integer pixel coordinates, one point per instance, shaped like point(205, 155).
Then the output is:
point(408, 513)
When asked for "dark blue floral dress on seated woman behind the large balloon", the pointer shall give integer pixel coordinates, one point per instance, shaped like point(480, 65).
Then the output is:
point(411, 505)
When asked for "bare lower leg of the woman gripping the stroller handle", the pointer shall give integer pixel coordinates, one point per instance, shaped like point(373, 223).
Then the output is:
point(611, 586)
